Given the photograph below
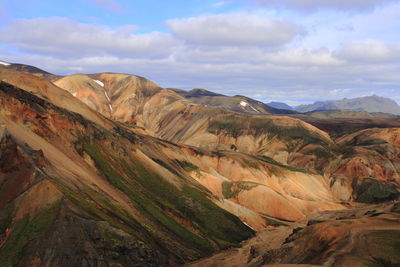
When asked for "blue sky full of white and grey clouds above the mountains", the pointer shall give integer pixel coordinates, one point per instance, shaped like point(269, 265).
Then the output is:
point(293, 51)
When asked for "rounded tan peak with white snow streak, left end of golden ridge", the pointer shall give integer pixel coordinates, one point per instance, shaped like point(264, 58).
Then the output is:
point(118, 96)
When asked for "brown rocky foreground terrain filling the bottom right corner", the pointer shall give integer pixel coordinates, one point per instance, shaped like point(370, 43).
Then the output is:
point(363, 236)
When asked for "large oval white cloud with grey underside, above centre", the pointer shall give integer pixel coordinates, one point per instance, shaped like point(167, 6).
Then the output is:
point(234, 30)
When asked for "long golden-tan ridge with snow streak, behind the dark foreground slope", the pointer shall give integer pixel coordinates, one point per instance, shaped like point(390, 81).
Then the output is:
point(166, 114)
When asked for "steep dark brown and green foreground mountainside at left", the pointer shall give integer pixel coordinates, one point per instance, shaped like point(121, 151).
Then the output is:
point(81, 189)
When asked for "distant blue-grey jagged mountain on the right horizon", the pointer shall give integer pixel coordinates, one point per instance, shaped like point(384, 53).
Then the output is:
point(368, 103)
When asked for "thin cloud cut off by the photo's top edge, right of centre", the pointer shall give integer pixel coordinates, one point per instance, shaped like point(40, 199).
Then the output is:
point(323, 4)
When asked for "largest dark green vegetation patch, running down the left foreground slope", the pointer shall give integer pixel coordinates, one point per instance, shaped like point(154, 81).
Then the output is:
point(154, 196)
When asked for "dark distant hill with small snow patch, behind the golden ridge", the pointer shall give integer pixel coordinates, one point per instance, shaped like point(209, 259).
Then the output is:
point(235, 103)
